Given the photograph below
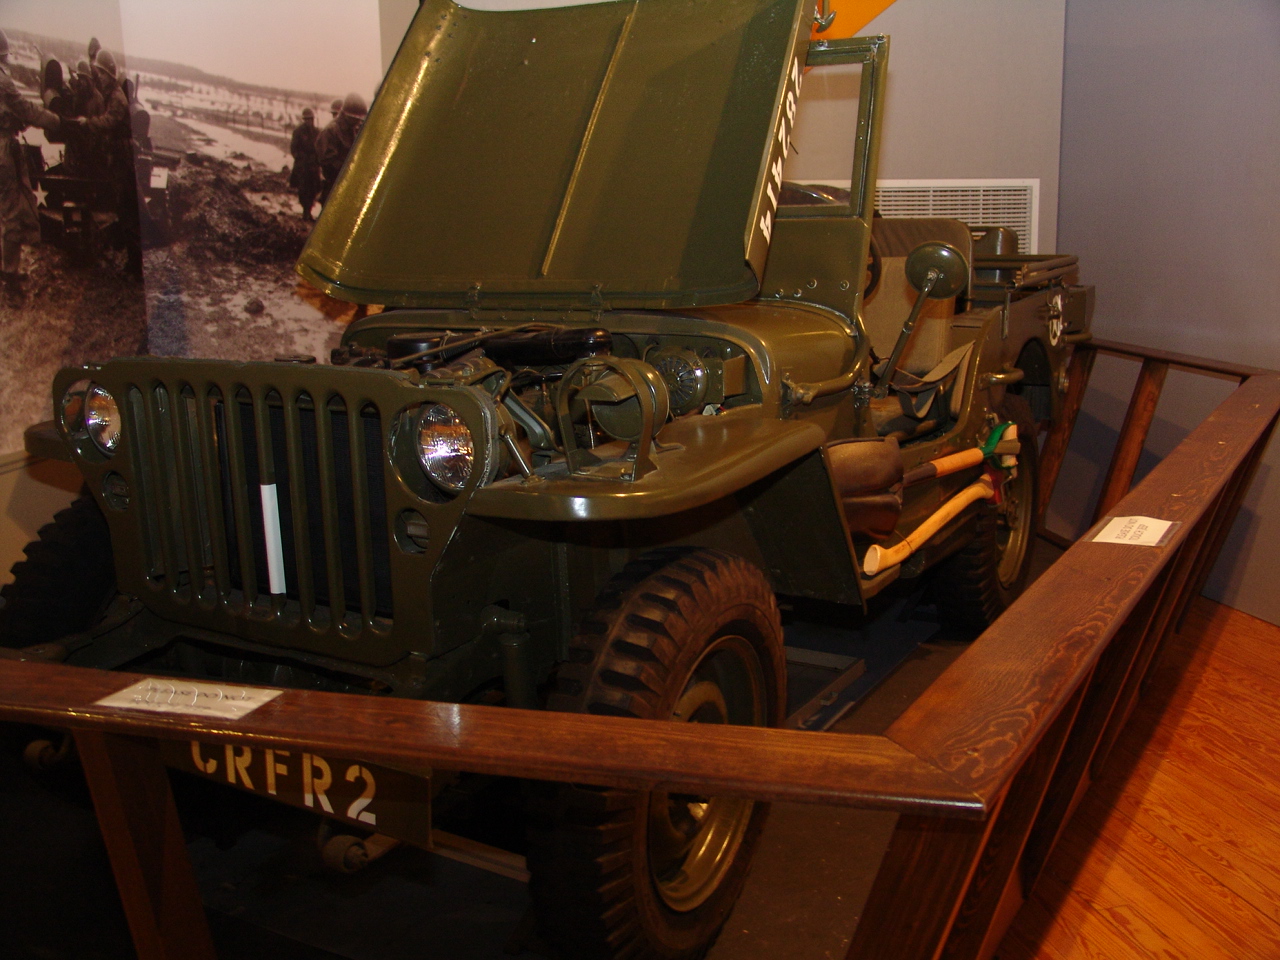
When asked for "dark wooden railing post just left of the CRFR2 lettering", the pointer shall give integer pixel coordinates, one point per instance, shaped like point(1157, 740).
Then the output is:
point(149, 853)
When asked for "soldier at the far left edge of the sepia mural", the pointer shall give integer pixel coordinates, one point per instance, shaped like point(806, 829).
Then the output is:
point(20, 223)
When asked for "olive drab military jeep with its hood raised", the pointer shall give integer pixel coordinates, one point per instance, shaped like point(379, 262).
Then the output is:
point(632, 385)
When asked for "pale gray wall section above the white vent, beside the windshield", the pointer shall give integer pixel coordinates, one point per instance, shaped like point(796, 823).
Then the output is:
point(976, 90)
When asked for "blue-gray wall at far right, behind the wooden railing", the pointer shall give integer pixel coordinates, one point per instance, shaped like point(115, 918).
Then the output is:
point(1171, 194)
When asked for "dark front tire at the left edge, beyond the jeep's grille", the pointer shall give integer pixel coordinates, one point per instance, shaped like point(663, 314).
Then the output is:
point(65, 584)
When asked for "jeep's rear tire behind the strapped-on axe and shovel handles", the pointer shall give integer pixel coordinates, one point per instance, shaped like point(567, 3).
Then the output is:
point(979, 583)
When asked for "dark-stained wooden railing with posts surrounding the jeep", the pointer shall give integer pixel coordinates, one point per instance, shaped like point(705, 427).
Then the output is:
point(985, 769)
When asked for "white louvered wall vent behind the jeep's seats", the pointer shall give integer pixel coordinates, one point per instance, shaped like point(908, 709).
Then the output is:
point(1014, 204)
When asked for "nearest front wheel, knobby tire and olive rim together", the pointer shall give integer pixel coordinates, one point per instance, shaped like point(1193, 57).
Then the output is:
point(685, 636)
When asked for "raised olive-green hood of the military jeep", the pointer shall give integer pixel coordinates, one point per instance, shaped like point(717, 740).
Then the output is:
point(618, 154)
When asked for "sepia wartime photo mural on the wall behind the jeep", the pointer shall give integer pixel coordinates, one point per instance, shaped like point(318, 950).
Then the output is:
point(220, 230)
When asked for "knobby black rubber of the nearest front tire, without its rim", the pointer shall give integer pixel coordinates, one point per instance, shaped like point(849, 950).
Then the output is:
point(621, 664)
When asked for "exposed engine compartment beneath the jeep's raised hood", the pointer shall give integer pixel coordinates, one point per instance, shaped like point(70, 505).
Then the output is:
point(568, 400)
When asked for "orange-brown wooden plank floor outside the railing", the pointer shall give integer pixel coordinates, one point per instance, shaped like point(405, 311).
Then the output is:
point(1176, 852)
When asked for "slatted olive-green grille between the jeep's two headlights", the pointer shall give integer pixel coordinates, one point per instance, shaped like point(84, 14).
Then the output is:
point(208, 456)
